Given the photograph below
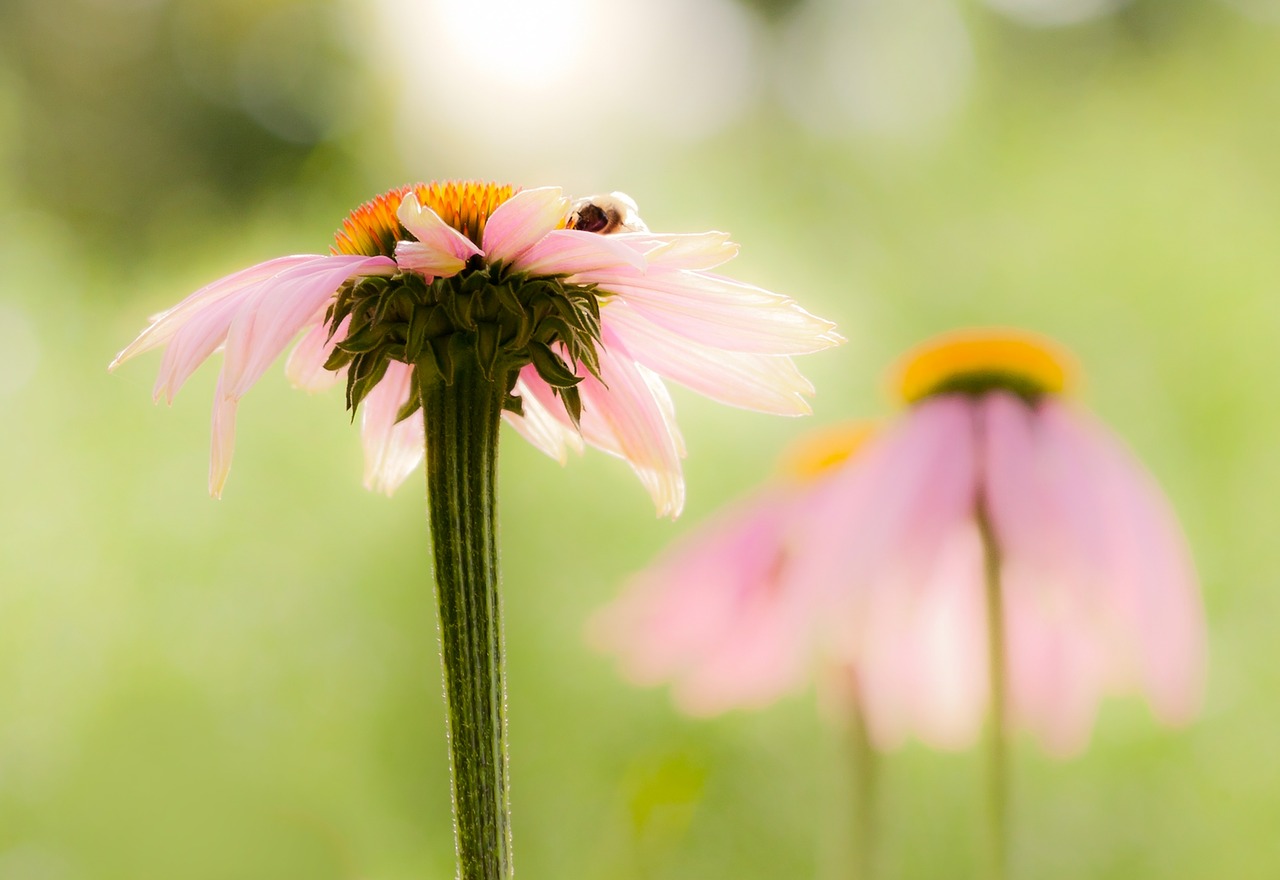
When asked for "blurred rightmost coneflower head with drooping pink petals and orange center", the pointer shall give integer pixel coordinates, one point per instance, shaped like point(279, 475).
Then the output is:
point(996, 498)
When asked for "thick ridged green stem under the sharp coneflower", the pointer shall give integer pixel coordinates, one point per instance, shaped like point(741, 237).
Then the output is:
point(463, 420)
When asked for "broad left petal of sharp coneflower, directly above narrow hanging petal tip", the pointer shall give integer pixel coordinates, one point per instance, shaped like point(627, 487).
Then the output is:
point(280, 309)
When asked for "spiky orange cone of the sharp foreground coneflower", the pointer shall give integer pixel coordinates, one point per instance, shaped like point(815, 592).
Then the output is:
point(373, 228)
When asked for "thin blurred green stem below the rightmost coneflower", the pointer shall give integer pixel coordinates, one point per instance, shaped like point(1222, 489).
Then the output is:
point(998, 737)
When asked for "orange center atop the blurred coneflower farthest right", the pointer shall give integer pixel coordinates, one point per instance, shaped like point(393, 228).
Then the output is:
point(976, 361)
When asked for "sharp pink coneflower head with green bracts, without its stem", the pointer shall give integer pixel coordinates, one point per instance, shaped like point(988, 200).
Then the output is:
point(588, 306)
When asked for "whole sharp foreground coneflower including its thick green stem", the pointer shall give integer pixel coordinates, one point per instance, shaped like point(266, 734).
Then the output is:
point(476, 302)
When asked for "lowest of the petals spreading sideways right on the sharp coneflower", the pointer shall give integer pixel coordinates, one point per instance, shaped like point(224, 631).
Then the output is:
point(755, 382)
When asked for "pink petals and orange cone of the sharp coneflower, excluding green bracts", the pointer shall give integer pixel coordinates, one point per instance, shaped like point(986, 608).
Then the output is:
point(662, 314)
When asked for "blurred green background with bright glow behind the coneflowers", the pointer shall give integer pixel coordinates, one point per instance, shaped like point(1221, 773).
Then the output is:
point(250, 689)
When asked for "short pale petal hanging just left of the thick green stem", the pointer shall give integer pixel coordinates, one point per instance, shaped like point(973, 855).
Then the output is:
point(392, 450)
